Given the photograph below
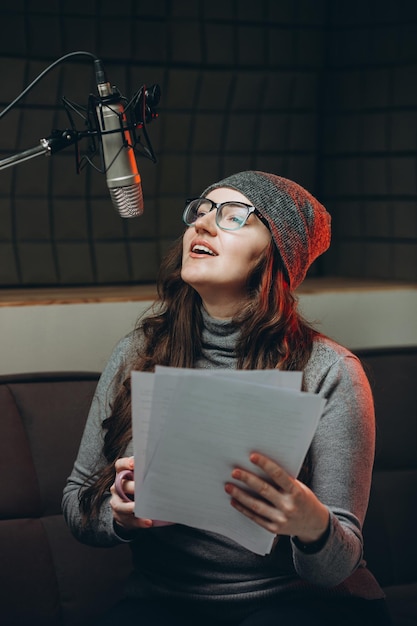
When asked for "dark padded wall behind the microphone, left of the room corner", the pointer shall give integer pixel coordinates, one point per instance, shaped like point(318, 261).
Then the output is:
point(238, 92)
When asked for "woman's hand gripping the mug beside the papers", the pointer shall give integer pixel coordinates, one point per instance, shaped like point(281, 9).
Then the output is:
point(123, 511)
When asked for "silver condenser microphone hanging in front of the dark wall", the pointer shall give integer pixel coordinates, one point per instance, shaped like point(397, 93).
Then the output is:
point(122, 176)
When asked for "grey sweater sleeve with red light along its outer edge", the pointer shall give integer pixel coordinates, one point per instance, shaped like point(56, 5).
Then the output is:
point(342, 454)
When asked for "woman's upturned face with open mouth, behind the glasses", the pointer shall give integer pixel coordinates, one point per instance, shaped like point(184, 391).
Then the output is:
point(216, 263)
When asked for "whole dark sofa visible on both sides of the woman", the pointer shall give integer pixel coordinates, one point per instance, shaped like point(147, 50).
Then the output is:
point(47, 578)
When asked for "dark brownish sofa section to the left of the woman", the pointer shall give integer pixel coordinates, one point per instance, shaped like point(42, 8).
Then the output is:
point(47, 577)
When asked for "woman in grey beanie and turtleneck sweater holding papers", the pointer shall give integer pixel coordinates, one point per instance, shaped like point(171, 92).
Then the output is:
point(225, 300)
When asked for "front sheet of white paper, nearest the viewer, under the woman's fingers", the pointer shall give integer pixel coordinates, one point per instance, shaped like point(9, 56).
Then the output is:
point(213, 425)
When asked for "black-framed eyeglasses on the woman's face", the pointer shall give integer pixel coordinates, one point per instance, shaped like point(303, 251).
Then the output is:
point(229, 216)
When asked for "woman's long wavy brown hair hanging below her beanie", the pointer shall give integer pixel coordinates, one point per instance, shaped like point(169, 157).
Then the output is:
point(273, 335)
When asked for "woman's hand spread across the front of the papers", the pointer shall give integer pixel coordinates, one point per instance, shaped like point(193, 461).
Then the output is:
point(281, 504)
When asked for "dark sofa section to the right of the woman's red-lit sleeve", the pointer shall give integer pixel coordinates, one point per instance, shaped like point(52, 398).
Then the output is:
point(389, 529)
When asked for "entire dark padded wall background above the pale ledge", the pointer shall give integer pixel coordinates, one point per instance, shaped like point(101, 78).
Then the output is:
point(320, 91)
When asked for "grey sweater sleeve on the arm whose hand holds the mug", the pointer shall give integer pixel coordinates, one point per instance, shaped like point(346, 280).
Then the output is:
point(100, 531)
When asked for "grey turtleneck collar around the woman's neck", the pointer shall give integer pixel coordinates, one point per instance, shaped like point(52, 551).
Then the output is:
point(219, 339)
